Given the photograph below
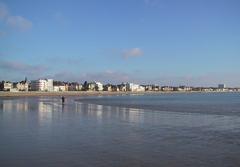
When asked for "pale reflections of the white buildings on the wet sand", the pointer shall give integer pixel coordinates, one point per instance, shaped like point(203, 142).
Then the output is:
point(47, 107)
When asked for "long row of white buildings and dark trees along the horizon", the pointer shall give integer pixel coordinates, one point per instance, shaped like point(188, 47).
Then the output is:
point(50, 85)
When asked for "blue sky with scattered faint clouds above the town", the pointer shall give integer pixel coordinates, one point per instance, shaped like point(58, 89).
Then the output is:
point(165, 42)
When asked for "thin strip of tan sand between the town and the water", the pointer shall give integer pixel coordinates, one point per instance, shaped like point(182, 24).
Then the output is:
point(93, 93)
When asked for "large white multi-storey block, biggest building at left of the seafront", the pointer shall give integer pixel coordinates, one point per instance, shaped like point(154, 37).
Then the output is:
point(42, 85)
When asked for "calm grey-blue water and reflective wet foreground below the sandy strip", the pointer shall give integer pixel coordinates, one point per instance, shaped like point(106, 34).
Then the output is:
point(198, 129)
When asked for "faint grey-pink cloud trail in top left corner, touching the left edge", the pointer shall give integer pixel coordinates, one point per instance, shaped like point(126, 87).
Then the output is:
point(14, 21)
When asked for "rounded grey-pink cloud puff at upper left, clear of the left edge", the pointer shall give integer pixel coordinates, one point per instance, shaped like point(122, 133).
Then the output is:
point(19, 22)
